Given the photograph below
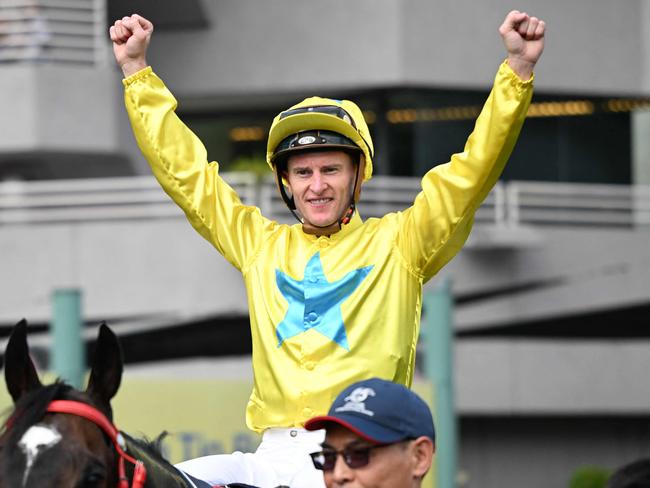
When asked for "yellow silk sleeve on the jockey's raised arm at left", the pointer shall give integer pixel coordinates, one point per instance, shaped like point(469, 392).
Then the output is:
point(179, 162)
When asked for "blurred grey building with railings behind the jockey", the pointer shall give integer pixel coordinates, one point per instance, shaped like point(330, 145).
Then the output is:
point(552, 291)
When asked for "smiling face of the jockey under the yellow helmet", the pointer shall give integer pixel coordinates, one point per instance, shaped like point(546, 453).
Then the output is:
point(321, 184)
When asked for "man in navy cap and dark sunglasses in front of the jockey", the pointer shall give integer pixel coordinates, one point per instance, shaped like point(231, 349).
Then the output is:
point(378, 434)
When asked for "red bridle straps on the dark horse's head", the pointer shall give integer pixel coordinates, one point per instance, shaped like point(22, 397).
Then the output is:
point(88, 412)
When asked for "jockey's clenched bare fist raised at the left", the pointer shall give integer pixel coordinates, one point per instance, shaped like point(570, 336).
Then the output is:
point(131, 36)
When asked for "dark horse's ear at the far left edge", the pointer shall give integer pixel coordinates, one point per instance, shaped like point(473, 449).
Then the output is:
point(20, 373)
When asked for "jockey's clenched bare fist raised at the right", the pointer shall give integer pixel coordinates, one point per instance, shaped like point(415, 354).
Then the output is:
point(523, 37)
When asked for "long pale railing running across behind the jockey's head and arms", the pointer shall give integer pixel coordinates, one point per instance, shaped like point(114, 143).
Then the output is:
point(513, 204)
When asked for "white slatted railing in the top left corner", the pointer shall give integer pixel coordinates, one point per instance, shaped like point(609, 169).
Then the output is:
point(54, 31)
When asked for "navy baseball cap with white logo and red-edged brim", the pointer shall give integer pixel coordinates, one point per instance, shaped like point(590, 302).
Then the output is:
point(380, 411)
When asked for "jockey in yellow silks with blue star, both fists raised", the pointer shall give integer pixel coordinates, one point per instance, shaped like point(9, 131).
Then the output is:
point(332, 299)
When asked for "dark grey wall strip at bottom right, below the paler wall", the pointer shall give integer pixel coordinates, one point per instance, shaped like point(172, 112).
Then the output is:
point(543, 452)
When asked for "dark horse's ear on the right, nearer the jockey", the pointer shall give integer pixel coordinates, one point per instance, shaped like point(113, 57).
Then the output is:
point(106, 370)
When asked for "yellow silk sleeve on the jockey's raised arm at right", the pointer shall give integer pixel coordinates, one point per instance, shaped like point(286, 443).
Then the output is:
point(435, 228)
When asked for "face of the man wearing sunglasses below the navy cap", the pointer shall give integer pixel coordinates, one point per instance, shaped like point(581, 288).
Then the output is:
point(402, 464)
